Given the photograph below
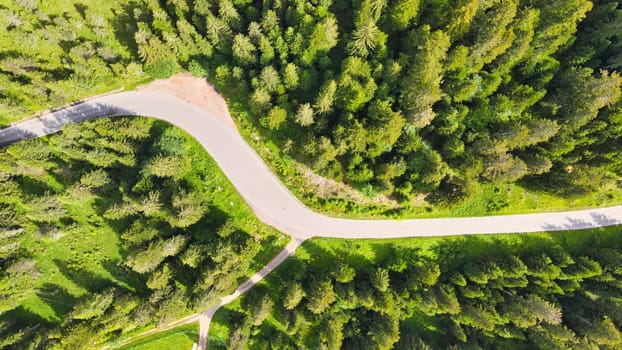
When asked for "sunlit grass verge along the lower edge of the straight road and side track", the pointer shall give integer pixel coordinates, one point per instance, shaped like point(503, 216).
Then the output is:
point(319, 255)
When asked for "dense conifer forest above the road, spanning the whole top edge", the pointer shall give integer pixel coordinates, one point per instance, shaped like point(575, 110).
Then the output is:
point(400, 97)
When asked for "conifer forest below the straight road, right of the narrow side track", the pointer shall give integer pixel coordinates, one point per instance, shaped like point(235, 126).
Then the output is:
point(530, 291)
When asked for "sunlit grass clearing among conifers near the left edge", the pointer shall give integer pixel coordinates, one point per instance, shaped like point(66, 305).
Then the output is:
point(73, 262)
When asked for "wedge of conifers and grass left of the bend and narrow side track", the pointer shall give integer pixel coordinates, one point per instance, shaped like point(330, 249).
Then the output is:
point(115, 226)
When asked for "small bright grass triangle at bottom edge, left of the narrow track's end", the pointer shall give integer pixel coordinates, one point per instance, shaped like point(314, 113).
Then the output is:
point(177, 338)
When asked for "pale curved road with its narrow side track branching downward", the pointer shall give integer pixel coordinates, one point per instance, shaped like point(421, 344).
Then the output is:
point(270, 200)
